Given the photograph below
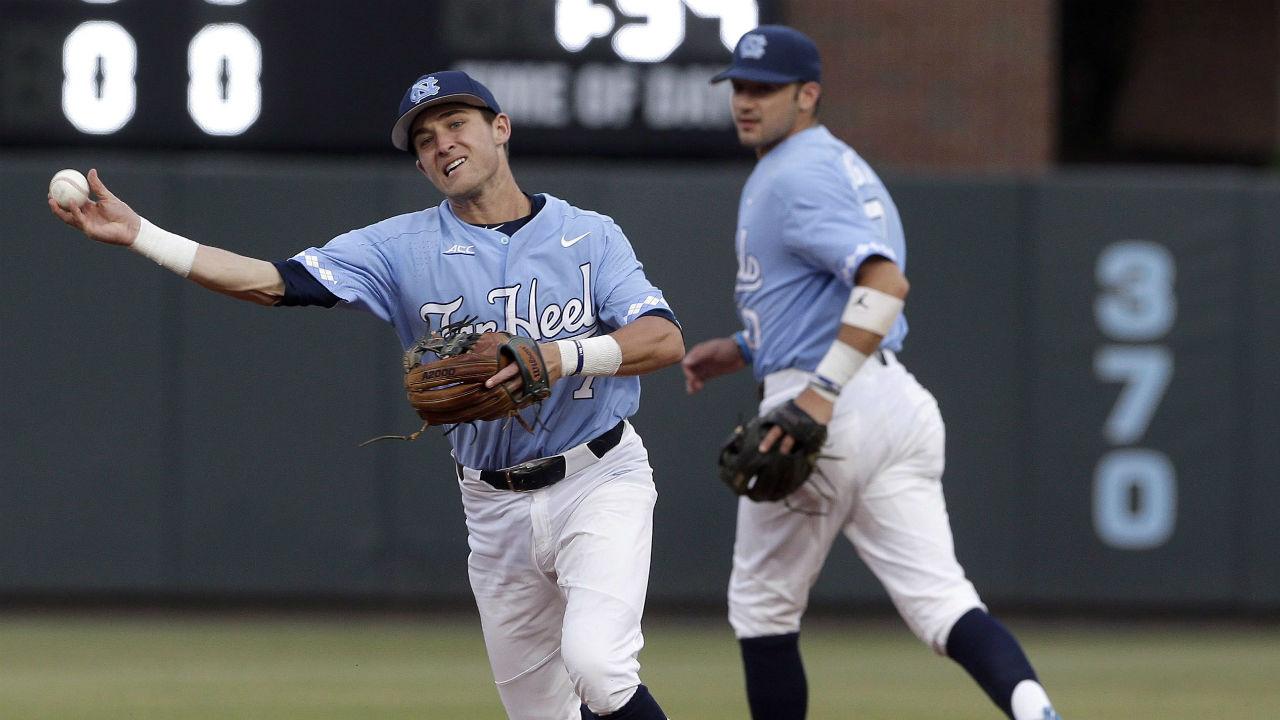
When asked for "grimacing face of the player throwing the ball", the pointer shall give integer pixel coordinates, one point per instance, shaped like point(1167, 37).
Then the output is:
point(459, 149)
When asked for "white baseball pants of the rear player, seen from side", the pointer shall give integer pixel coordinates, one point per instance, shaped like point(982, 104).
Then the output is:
point(883, 490)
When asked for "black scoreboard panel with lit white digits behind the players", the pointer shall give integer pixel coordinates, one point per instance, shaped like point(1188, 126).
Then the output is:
point(619, 78)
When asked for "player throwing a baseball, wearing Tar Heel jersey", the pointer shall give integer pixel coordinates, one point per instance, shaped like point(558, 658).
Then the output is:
point(560, 546)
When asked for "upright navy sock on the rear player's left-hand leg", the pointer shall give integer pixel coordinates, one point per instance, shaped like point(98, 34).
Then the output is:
point(776, 687)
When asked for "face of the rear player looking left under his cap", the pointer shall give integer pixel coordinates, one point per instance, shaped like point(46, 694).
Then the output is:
point(767, 113)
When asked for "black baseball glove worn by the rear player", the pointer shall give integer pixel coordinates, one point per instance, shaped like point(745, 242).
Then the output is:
point(767, 477)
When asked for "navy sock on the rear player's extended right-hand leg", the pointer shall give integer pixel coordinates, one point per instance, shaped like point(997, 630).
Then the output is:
point(991, 655)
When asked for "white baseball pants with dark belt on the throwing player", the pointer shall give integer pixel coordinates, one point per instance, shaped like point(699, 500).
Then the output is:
point(560, 577)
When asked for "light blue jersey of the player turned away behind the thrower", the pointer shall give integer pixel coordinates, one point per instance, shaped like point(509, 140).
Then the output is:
point(811, 215)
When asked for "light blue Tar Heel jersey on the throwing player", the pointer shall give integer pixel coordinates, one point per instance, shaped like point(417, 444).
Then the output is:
point(566, 274)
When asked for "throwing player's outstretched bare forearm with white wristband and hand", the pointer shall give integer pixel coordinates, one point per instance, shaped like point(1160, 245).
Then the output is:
point(112, 222)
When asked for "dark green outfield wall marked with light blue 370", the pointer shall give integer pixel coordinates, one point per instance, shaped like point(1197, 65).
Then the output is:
point(1103, 347)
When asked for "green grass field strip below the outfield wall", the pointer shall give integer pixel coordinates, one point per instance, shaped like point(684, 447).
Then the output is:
point(63, 667)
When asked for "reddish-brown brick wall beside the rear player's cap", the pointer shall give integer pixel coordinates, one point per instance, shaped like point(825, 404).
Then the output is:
point(939, 84)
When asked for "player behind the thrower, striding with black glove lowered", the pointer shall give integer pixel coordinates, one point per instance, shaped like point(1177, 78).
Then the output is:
point(820, 290)
